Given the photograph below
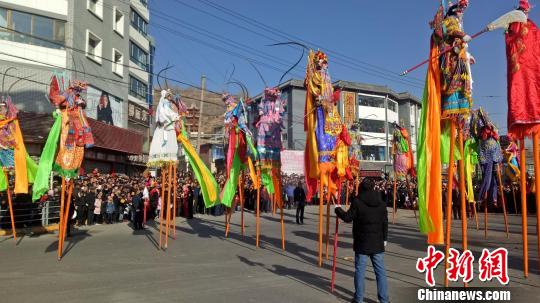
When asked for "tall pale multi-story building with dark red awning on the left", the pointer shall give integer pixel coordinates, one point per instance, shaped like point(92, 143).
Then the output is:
point(102, 42)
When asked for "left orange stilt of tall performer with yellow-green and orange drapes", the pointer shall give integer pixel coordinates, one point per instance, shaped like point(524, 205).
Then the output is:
point(450, 183)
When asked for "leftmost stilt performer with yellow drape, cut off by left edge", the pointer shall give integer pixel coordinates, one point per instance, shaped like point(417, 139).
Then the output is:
point(13, 155)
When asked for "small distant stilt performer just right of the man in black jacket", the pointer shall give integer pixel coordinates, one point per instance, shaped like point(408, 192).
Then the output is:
point(403, 162)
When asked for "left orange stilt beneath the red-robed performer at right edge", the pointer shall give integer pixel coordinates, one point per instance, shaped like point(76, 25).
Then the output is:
point(524, 227)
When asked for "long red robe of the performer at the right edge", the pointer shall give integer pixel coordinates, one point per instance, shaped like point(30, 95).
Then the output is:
point(523, 57)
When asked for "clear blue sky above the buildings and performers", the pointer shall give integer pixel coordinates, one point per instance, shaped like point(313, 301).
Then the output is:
point(375, 40)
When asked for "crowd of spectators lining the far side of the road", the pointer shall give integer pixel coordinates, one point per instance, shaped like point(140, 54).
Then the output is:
point(112, 198)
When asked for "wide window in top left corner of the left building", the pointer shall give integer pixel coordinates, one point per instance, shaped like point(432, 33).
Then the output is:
point(47, 32)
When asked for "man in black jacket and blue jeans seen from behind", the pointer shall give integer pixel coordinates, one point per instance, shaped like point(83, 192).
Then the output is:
point(370, 230)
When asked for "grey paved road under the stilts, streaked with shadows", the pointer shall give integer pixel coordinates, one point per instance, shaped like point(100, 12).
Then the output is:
point(113, 263)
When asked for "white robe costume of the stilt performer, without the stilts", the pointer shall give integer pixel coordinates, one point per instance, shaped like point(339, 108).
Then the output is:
point(164, 146)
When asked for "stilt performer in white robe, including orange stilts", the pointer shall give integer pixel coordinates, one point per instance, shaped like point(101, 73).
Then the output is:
point(164, 155)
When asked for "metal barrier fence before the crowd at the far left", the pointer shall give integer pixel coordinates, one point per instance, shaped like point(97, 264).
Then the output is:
point(28, 214)
